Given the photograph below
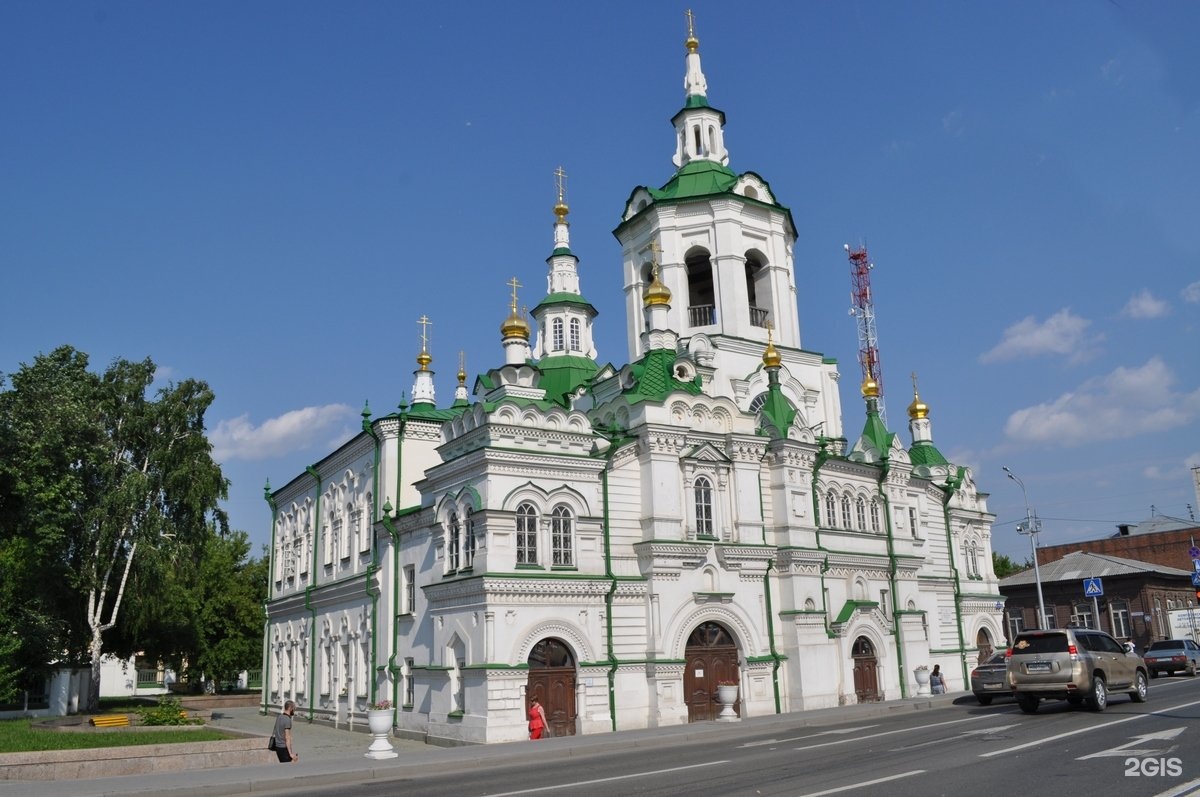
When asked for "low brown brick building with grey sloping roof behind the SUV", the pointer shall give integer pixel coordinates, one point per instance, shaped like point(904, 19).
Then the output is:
point(1135, 607)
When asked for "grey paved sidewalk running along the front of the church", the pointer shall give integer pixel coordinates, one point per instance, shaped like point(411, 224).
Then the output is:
point(331, 757)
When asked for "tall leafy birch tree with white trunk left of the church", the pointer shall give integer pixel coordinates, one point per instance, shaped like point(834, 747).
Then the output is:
point(101, 483)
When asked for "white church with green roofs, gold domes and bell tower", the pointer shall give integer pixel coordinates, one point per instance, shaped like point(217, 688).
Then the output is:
point(619, 542)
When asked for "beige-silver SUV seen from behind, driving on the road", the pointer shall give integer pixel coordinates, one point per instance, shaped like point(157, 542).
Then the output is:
point(1073, 664)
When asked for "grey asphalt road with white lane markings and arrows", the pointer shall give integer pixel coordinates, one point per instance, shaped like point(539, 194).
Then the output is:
point(1137, 750)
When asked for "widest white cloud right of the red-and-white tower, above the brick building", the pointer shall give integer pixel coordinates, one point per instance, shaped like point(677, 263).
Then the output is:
point(1124, 404)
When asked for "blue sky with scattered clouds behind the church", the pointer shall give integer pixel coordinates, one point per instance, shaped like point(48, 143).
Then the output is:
point(268, 196)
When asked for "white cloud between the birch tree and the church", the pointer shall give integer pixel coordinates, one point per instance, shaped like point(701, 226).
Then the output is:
point(293, 432)
